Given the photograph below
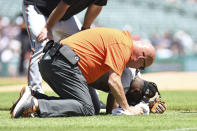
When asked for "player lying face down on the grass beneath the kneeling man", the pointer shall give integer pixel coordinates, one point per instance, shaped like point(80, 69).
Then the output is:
point(136, 89)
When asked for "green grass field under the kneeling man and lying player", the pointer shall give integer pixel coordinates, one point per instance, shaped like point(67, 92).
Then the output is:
point(180, 116)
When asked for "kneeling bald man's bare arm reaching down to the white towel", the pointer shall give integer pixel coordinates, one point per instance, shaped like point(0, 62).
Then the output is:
point(116, 88)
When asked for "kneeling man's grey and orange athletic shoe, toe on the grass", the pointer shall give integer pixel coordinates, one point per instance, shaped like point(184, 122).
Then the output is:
point(25, 106)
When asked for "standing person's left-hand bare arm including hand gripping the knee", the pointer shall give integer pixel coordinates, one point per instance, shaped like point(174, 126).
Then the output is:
point(54, 17)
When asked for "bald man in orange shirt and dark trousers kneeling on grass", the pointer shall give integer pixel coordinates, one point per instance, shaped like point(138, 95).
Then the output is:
point(100, 50)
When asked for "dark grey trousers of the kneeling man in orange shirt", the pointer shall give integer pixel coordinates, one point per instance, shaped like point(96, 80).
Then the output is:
point(69, 83)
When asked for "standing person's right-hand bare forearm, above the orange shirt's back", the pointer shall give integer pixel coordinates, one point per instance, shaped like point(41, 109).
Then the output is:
point(91, 14)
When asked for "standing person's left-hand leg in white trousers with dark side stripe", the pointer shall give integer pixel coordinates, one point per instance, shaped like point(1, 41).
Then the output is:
point(34, 22)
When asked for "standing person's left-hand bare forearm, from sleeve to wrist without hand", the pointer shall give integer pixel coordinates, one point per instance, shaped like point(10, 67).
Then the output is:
point(57, 14)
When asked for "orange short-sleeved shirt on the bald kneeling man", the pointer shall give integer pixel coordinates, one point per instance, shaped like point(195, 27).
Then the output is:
point(101, 49)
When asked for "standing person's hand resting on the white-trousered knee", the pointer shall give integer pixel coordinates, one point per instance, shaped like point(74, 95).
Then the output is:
point(45, 34)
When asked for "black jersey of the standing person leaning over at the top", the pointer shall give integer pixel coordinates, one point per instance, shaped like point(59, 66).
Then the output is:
point(76, 6)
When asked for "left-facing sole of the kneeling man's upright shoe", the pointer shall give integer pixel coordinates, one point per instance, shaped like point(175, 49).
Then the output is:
point(20, 102)
